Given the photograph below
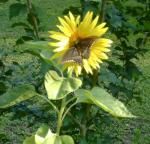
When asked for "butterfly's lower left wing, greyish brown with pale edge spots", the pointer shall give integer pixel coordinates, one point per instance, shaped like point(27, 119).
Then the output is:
point(72, 55)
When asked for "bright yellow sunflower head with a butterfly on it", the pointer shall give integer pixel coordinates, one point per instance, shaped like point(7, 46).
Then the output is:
point(79, 44)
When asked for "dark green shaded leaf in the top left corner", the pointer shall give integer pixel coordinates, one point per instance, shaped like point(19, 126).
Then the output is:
point(16, 9)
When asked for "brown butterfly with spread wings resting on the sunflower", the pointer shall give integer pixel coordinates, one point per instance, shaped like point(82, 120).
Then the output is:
point(79, 51)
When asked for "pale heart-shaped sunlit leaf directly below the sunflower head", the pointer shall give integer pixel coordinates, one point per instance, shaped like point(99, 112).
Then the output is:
point(58, 87)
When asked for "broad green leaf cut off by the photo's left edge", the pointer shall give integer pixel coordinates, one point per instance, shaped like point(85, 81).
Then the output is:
point(17, 95)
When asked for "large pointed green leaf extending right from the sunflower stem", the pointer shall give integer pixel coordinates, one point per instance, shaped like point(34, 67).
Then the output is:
point(104, 100)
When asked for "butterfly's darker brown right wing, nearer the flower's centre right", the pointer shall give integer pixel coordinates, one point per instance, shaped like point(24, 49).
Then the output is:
point(85, 46)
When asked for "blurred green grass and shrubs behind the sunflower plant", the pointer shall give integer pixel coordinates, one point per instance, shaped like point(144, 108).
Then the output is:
point(126, 75)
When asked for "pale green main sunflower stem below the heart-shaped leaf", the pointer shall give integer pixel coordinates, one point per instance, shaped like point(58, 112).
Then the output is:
point(60, 114)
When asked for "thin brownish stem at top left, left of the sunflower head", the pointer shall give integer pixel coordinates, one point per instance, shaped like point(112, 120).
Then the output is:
point(34, 20)
